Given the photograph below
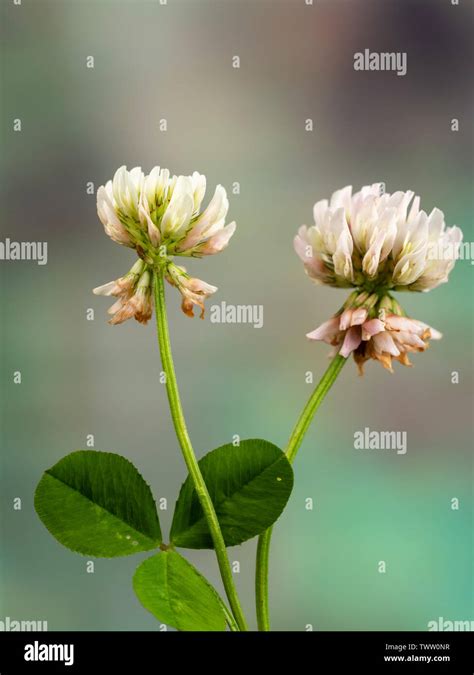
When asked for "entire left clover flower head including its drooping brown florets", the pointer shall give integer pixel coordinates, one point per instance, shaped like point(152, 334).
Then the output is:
point(160, 217)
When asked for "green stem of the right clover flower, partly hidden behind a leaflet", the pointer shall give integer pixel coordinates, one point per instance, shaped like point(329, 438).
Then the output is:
point(296, 438)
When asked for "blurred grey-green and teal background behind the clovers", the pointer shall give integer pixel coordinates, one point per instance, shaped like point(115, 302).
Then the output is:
point(245, 125)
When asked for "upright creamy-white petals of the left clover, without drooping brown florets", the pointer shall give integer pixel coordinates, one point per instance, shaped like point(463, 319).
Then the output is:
point(159, 215)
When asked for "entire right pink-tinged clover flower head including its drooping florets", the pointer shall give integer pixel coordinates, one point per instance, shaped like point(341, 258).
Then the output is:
point(377, 243)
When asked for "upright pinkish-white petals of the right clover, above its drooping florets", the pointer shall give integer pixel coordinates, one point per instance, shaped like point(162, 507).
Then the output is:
point(377, 242)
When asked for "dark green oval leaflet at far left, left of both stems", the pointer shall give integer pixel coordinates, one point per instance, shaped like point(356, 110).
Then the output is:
point(96, 503)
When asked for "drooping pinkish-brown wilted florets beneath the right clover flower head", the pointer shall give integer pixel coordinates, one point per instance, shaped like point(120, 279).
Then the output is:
point(374, 327)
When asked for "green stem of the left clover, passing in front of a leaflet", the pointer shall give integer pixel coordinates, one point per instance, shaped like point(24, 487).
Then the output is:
point(188, 452)
